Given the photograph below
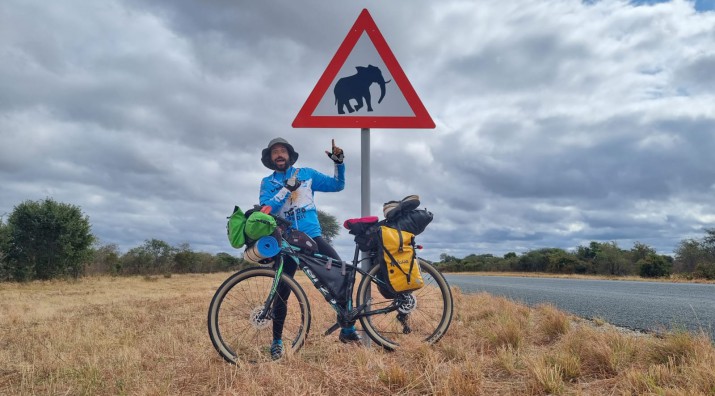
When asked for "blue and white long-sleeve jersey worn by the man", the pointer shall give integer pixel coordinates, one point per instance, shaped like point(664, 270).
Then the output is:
point(298, 206)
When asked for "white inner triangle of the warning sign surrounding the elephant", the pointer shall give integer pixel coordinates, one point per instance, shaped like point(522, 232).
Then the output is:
point(364, 54)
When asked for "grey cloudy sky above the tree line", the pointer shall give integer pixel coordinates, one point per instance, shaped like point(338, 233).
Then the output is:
point(558, 122)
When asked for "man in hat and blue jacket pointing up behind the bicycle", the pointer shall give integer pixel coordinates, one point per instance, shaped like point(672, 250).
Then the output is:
point(288, 192)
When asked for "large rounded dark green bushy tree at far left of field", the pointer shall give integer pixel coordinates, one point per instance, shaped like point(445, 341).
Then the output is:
point(48, 239)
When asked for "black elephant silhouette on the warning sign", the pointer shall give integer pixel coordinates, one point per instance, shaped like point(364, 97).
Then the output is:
point(357, 87)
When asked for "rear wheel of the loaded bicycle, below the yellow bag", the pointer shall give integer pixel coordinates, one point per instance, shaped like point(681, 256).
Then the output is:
point(422, 315)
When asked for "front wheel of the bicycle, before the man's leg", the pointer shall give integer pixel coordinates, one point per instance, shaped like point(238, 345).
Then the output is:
point(235, 332)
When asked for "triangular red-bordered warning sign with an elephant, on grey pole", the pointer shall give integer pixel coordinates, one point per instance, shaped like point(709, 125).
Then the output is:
point(363, 87)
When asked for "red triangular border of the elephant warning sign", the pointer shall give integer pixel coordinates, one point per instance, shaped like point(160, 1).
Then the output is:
point(364, 23)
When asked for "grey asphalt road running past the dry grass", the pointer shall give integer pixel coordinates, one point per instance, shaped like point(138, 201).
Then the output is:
point(649, 306)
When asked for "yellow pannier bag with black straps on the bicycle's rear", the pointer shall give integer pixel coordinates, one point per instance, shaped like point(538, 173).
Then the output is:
point(399, 261)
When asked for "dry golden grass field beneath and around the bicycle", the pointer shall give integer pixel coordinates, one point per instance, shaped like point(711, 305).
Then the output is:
point(142, 336)
